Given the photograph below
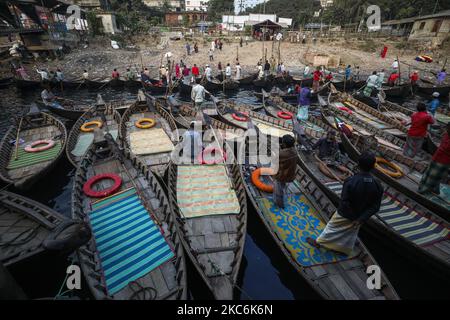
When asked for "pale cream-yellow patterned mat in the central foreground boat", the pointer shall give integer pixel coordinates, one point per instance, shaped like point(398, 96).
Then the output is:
point(204, 190)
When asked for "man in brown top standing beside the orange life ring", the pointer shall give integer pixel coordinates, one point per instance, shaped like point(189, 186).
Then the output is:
point(287, 167)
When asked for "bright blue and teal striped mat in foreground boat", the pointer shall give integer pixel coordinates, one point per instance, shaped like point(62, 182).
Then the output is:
point(129, 243)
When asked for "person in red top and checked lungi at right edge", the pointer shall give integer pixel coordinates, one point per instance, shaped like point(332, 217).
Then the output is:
point(438, 167)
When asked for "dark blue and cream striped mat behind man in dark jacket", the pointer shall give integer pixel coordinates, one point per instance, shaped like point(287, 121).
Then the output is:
point(405, 221)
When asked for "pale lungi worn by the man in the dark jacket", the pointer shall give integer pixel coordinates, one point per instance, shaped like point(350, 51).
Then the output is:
point(339, 235)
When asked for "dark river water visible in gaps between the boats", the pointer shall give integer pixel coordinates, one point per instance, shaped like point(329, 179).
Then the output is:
point(265, 273)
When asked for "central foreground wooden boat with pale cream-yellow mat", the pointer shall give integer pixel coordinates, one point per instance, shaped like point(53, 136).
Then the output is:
point(213, 236)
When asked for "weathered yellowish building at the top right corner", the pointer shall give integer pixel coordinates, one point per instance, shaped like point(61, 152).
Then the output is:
point(432, 29)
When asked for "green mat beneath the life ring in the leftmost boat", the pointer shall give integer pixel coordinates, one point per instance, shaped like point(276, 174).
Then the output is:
point(25, 159)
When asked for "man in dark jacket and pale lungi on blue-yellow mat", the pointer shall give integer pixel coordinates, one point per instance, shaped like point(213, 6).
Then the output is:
point(361, 198)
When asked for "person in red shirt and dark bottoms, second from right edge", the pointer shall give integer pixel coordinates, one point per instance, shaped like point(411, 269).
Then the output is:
point(417, 131)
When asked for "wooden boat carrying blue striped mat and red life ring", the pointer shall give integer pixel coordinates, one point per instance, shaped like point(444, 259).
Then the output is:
point(150, 270)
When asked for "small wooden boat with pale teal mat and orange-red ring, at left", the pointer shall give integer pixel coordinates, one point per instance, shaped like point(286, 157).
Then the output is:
point(79, 142)
